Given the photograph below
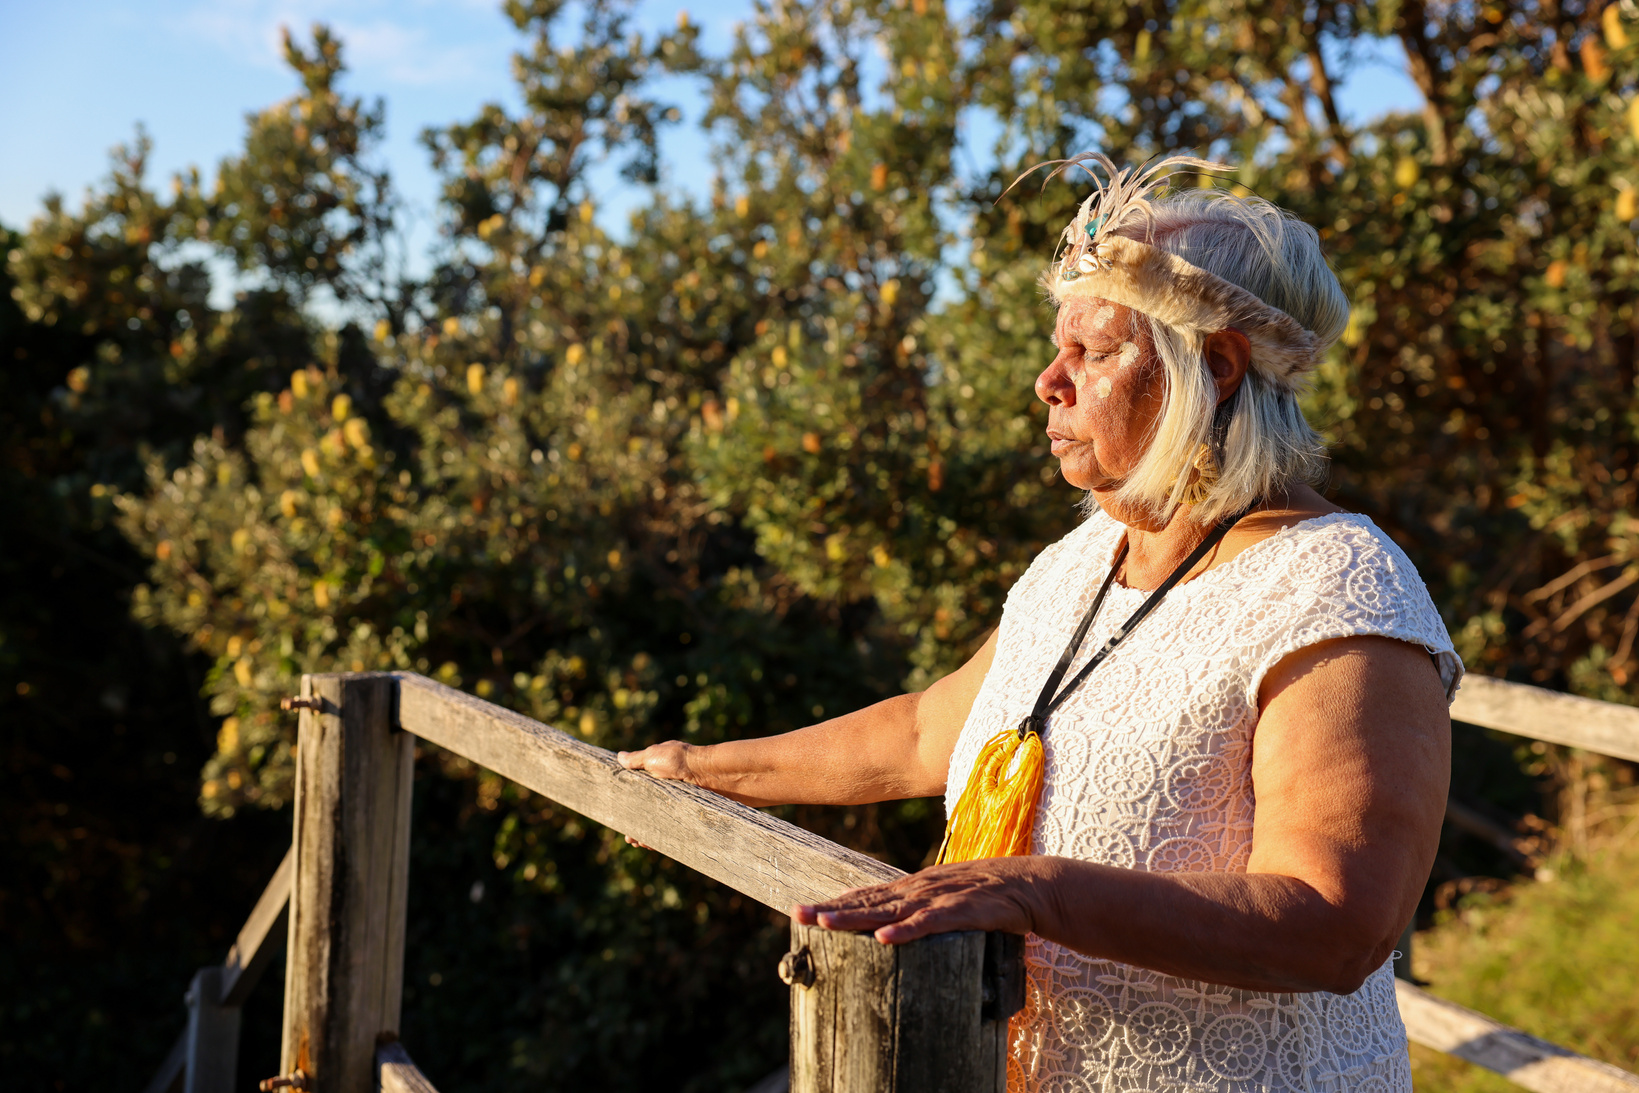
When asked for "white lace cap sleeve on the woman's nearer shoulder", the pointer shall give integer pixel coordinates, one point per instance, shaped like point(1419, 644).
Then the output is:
point(1346, 581)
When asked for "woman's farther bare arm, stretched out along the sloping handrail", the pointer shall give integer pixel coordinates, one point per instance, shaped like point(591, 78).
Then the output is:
point(894, 750)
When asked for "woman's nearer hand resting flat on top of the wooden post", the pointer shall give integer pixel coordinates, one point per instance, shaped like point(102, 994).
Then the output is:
point(991, 894)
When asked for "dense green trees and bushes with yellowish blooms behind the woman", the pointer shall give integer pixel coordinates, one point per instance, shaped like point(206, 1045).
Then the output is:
point(765, 458)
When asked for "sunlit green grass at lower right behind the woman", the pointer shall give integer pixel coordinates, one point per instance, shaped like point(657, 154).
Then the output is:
point(1558, 959)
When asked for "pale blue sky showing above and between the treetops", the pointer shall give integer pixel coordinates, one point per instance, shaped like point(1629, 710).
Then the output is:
point(78, 78)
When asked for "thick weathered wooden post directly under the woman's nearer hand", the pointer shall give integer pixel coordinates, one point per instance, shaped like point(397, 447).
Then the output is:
point(928, 1017)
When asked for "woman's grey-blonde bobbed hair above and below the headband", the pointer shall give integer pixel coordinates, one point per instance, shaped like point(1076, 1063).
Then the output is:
point(1260, 440)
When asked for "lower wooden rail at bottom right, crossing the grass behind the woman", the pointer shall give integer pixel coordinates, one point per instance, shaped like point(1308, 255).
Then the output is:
point(1510, 1053)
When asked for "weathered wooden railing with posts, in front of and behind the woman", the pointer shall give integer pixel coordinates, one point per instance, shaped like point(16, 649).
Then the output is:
point(866, 1018)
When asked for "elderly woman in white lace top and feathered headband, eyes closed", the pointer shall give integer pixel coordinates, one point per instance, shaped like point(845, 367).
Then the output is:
point(1242, 802)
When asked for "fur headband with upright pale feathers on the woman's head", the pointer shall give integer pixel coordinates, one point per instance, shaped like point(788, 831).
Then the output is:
point(1097, 258)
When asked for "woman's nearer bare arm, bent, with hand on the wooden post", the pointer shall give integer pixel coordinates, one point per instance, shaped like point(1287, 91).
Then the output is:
point(1351, 766)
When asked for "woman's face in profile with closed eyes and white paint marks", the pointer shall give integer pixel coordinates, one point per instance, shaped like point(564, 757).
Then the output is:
point(1104, 392)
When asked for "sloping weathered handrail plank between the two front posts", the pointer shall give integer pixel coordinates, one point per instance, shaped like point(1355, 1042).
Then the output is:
point(753, 853)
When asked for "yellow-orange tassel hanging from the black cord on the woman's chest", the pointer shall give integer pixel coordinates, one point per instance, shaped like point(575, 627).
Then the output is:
point(997, 810)
